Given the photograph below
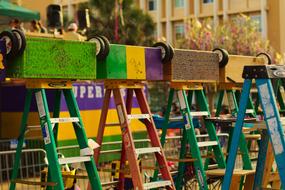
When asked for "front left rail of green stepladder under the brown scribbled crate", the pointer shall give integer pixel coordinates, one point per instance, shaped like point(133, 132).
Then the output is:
point(195, 151)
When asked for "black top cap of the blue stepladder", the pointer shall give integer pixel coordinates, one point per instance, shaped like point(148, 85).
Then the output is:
point(264, 72)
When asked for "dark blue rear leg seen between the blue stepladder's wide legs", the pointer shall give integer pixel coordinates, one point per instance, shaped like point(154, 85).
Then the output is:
point(261, 168)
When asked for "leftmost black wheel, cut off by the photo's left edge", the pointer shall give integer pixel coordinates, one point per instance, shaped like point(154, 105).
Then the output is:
point(12, 44)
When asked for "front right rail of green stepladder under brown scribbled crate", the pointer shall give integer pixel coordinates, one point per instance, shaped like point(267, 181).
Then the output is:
point(201, 99)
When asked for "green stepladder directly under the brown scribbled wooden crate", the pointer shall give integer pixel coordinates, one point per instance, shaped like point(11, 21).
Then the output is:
point(188, 131)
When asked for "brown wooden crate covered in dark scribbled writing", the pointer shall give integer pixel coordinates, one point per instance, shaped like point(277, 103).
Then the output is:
point(192, 66)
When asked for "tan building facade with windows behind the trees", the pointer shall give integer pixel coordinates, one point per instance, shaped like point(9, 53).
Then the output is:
point(169, 15)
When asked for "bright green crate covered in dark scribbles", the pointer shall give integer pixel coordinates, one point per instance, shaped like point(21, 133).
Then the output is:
point(55, 59)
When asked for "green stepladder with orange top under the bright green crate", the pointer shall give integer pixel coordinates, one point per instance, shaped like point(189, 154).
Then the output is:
point(49, 128)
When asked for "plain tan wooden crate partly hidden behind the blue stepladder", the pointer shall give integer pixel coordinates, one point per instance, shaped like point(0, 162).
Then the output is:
point(232, 72)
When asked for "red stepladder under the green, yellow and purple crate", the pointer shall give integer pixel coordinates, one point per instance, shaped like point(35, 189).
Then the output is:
point(129, 152)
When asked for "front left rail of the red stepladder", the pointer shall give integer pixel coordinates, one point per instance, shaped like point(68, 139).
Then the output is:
point(128, 140)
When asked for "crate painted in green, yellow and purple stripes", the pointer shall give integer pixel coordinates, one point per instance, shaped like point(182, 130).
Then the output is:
point(131, 62)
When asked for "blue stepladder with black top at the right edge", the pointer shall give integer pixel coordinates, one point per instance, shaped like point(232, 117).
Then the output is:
point(274, 130)
